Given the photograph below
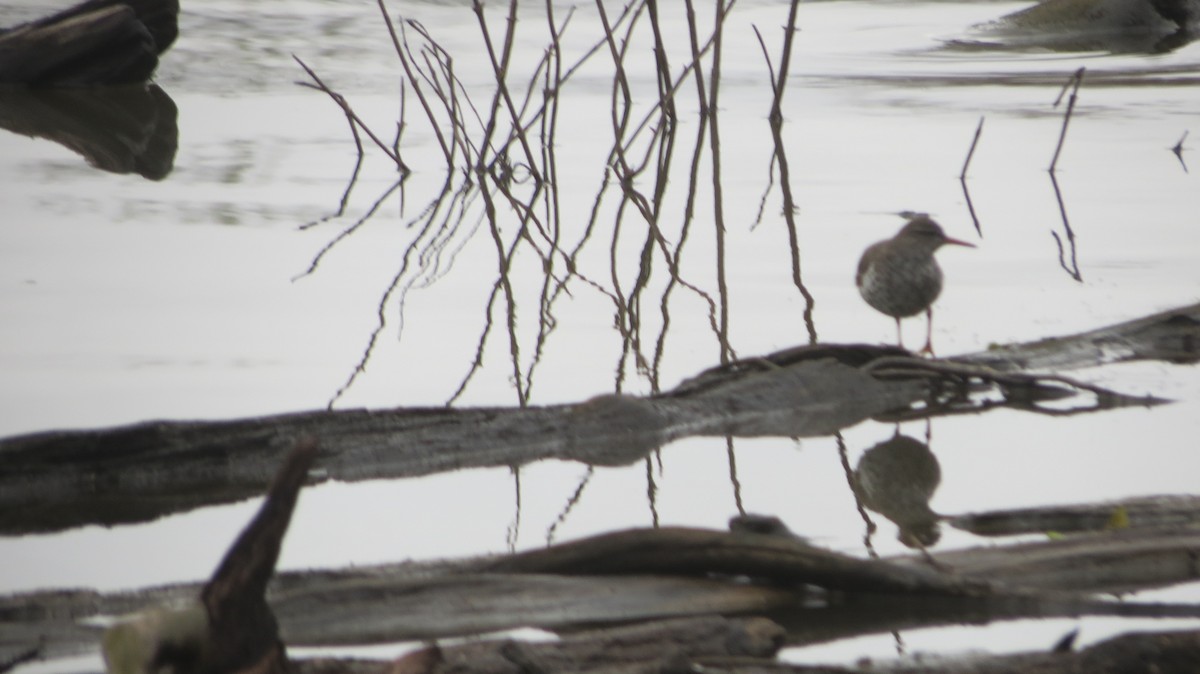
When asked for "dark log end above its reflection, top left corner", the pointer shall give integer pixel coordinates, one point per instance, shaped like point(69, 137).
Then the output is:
point(99, 43)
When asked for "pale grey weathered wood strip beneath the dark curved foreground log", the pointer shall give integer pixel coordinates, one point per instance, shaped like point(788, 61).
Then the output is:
point(379, 611)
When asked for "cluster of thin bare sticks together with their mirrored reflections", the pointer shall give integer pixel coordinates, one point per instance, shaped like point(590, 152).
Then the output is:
point(501, 165)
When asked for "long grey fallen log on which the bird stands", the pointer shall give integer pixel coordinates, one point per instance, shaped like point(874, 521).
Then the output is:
point(61, 479)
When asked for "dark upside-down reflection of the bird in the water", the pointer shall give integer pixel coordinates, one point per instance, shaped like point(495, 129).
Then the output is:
point(897, 479)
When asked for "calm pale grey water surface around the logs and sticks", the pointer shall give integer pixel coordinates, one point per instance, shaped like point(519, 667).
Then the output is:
point(185, 298)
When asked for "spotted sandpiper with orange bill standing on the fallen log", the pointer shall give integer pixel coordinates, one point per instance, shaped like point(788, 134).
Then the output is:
point(901, 278)
